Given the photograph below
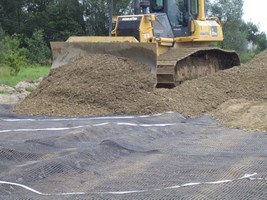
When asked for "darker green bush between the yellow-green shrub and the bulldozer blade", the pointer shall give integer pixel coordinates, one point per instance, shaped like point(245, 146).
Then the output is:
point(40, 48)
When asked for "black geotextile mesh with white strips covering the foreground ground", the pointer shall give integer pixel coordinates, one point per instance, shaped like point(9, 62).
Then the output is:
point(165, 156)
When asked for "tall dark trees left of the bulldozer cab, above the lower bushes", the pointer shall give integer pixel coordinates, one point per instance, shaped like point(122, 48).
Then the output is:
point(61, 18)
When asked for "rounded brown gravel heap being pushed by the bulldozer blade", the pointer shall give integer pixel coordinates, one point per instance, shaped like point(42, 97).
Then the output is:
point(96, 85)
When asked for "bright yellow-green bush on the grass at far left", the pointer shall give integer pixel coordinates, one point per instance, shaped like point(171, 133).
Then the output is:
point(15, 56)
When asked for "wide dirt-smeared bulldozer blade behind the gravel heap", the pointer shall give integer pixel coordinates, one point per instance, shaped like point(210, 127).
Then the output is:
point(67, 52)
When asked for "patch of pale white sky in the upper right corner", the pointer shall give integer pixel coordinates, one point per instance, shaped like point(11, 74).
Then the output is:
point(256, 11)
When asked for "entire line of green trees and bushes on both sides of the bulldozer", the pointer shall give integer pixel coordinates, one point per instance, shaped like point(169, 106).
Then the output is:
point(27, 26)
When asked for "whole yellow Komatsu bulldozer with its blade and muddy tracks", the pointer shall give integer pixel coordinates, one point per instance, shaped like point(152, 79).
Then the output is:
point(173, 37)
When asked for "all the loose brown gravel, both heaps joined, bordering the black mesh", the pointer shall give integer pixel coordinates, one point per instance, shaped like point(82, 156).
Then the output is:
point(108, 85)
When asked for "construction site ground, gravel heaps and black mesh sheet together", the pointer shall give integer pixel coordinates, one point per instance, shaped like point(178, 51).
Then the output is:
point(98, 129)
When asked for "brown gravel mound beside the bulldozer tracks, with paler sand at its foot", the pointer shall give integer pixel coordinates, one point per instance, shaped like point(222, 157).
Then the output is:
point(222, 93)
